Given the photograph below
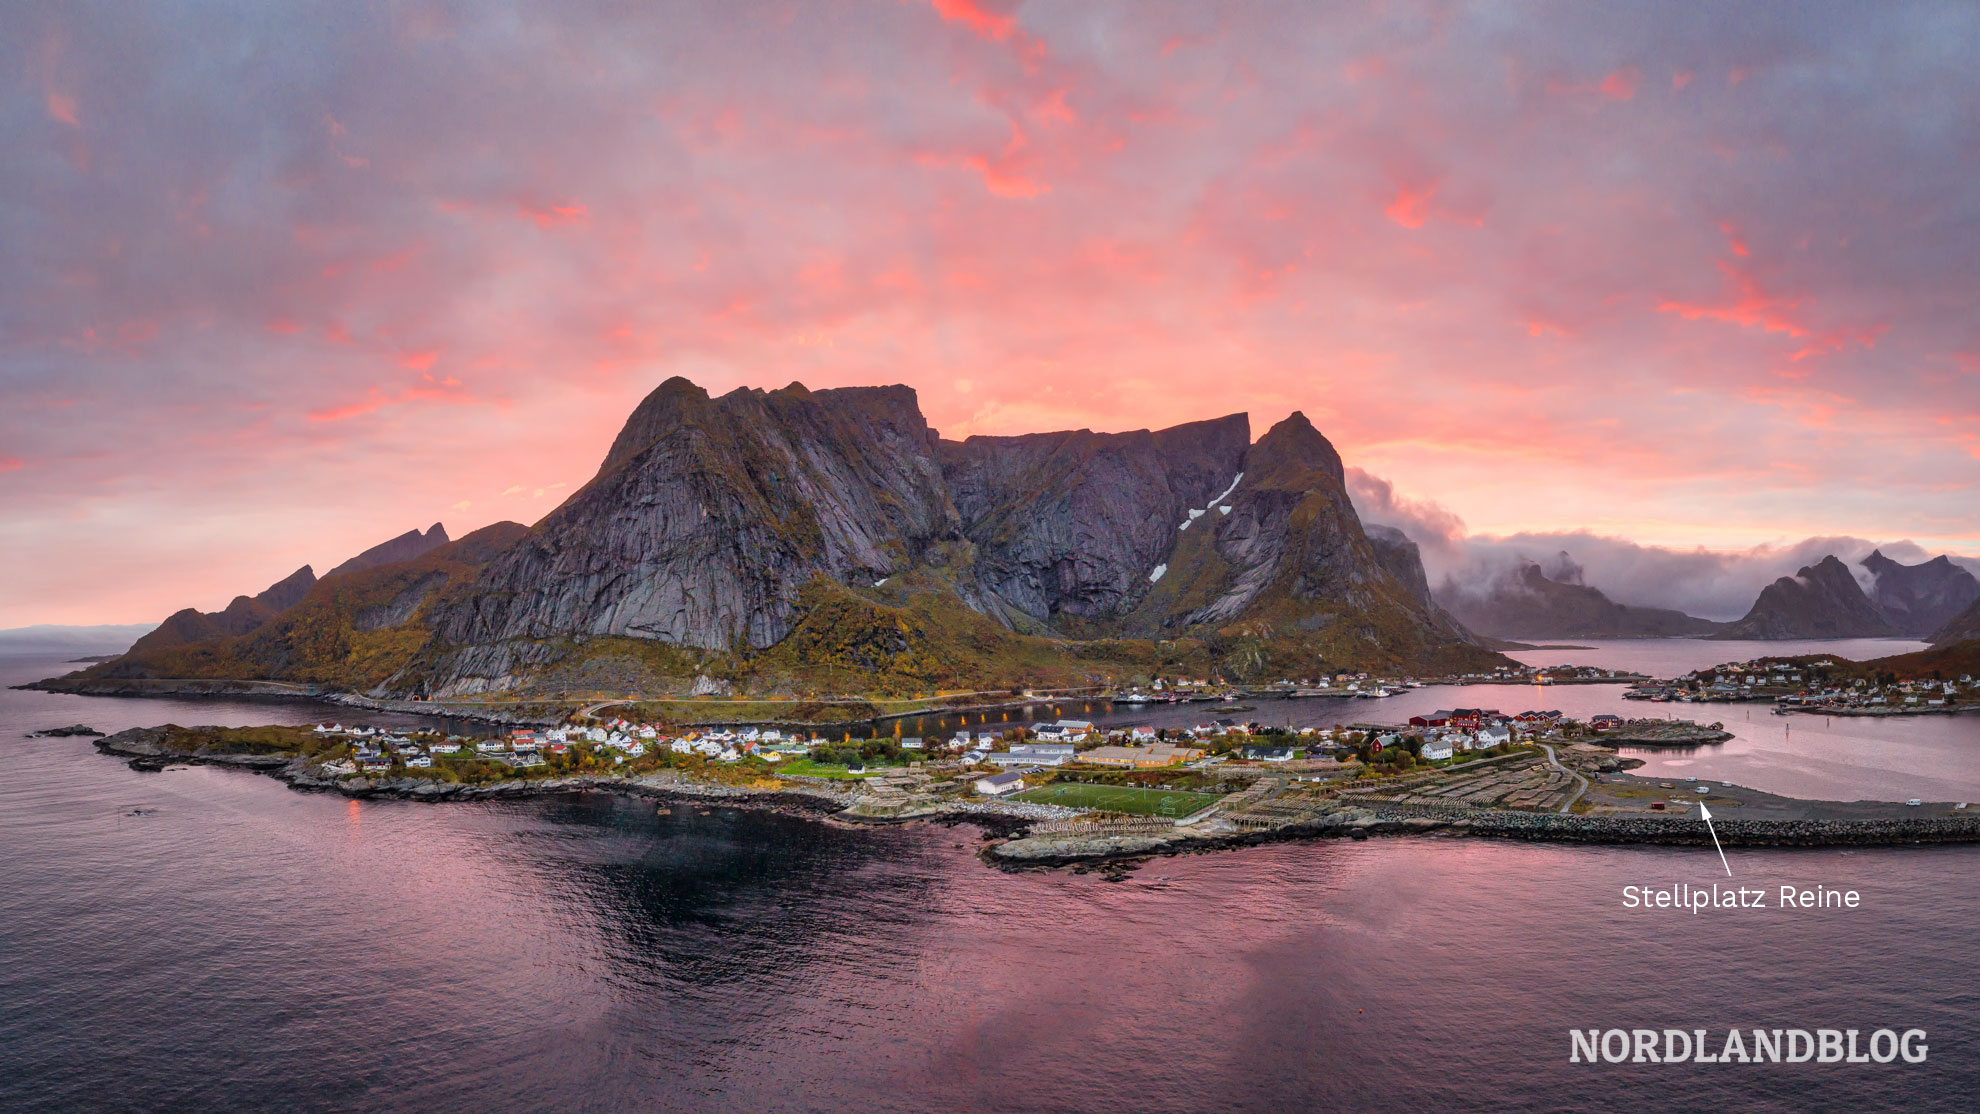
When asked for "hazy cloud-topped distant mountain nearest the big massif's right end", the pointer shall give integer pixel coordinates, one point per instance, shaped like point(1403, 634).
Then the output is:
point(1530, 604)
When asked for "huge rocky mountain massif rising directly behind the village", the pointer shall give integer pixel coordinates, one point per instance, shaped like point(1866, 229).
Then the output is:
point(833, 543)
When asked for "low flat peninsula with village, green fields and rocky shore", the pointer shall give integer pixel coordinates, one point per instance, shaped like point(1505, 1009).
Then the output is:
point(1068, 792)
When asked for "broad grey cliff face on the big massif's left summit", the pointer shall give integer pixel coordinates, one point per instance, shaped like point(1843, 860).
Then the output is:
point(710, 517)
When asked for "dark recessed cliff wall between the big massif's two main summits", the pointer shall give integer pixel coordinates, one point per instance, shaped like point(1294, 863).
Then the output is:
point(1072, 525)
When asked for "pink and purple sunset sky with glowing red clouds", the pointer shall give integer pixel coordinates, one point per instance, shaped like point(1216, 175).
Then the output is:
point(282, 282)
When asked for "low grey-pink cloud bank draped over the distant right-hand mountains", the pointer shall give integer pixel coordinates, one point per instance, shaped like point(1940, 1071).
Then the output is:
point(1714, 585)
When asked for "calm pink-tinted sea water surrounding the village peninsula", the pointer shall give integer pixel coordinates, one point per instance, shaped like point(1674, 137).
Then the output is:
point(211, 941)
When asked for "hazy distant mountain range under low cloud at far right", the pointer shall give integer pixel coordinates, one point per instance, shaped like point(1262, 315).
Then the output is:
point(1825, 601)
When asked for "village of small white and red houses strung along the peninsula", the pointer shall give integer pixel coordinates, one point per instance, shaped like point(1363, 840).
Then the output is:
point(1062, 771)
